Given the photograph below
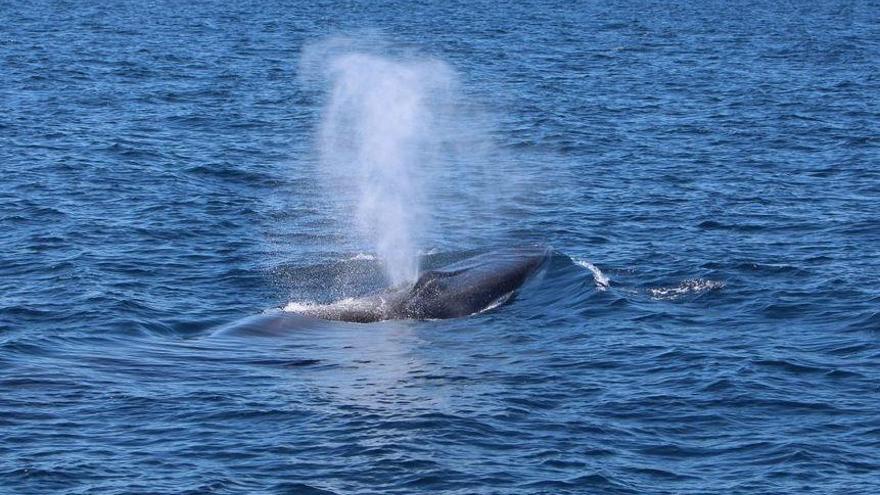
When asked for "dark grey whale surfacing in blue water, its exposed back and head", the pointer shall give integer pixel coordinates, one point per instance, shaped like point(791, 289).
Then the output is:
point(456, 290)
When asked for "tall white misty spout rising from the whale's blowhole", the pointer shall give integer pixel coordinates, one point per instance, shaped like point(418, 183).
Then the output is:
point(379, 133)
